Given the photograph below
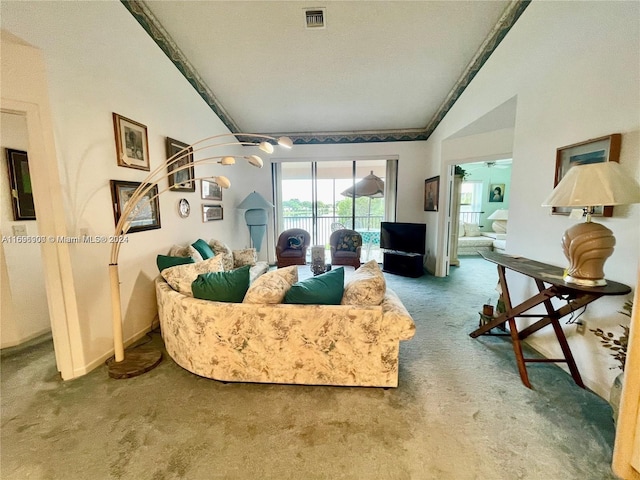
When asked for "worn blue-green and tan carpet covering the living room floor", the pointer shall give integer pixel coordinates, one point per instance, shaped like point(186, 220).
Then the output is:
point(460, 412)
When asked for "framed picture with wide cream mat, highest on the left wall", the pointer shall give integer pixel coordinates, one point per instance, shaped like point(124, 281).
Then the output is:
point(132, 144)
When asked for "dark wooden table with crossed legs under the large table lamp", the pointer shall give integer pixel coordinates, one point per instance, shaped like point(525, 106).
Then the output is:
point(550, 284)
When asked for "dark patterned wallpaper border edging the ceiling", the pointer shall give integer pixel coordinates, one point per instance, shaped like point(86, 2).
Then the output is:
point(156, 31)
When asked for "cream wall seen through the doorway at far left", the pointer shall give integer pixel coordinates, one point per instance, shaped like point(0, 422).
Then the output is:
point(24, 296)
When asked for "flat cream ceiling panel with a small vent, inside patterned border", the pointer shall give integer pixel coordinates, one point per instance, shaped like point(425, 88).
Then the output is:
point(376, 70)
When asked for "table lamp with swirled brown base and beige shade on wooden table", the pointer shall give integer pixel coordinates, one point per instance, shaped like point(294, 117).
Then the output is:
point(588, 245)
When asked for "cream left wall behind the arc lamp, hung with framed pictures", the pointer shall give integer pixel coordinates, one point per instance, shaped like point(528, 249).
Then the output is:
point(99, 61)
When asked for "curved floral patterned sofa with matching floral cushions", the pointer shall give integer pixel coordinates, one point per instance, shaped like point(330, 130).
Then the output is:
point(264, 340)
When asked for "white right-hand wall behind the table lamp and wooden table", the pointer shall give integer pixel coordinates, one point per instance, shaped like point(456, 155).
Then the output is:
point(575, 68)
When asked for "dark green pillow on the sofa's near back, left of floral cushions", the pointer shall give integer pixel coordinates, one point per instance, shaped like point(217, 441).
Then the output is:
point(222, 286)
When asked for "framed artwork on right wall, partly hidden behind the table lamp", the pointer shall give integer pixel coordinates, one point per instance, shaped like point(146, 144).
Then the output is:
point(596, 150)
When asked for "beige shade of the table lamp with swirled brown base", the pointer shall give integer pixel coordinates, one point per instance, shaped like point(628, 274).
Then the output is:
point(593, 185)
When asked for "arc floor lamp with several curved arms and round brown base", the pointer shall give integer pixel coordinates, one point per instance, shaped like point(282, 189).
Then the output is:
point(135, 362)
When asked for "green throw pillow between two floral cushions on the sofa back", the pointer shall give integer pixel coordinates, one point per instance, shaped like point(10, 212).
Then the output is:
point(324, 289)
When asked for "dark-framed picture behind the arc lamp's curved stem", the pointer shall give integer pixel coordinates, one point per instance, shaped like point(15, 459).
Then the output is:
point(146, 216)
